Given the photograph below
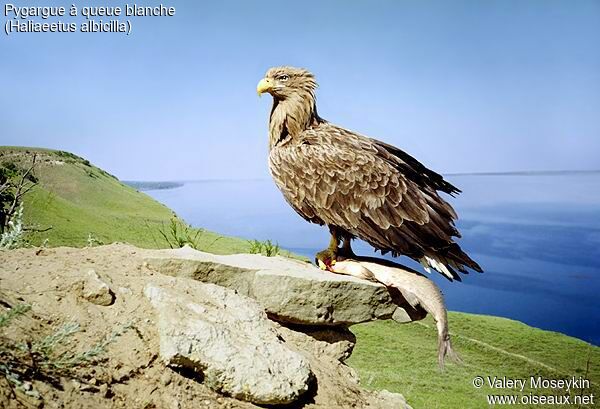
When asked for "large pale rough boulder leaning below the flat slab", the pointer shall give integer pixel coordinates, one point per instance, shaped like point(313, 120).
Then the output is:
point(228, 339)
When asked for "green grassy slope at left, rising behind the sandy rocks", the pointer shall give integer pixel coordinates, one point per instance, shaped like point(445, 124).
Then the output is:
point(76, 198)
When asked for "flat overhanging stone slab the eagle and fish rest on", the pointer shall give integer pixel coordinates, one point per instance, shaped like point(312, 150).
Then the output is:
point(289, 290)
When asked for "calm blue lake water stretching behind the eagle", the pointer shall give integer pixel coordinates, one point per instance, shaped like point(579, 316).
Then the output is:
point(537, 237)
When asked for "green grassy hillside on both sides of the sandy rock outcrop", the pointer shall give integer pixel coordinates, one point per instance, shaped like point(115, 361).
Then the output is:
point(78, 199)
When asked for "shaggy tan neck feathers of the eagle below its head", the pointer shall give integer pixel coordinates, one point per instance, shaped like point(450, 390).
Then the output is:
point(290, 117)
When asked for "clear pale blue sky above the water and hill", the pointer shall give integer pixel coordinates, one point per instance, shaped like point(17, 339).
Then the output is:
point(461, 85)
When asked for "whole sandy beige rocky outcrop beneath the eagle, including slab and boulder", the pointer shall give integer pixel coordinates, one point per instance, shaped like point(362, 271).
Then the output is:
point(198, 330)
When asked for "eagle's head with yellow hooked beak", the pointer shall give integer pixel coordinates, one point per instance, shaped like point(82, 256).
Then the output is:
point(287, 82)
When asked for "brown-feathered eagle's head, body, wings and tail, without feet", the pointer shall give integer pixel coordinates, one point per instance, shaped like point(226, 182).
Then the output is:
point(358, 186)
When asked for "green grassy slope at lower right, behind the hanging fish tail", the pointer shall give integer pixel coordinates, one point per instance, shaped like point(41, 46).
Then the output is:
point(402, 358)
